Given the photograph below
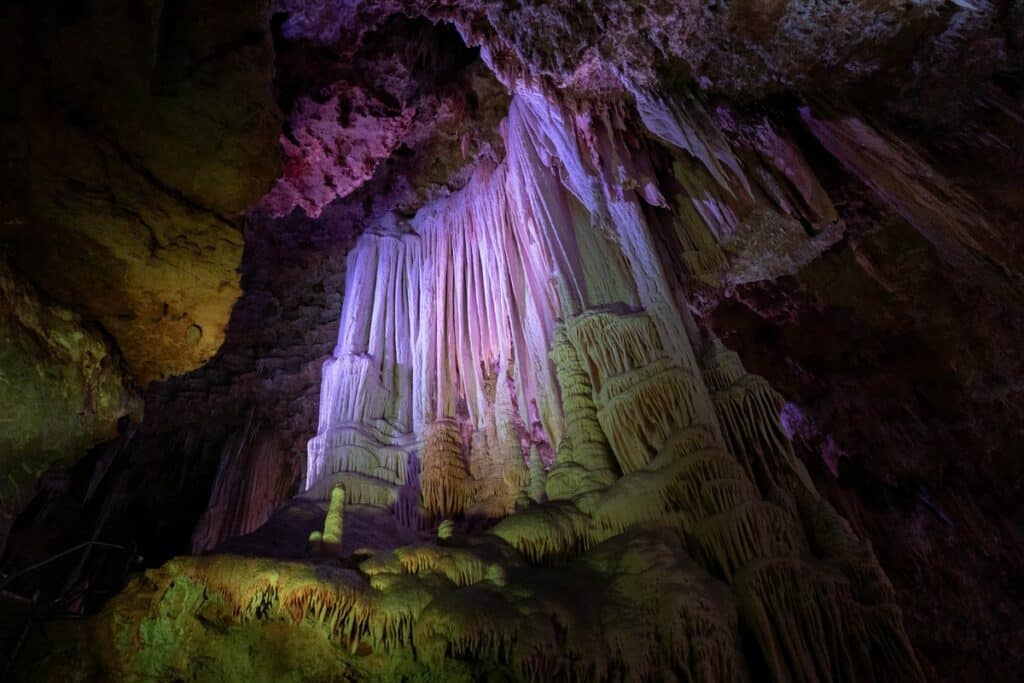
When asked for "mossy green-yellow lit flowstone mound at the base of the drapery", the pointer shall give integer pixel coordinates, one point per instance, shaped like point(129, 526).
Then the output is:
point(655, 577)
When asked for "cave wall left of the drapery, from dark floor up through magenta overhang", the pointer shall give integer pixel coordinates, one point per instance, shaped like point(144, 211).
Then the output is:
point(261, 392)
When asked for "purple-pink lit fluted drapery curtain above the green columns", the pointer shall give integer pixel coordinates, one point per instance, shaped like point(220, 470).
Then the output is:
point(477, 282)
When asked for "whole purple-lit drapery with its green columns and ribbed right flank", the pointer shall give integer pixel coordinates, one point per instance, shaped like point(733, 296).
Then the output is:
point(542, 311)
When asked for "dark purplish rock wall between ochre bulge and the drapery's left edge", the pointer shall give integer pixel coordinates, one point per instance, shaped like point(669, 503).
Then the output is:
point(221, 448)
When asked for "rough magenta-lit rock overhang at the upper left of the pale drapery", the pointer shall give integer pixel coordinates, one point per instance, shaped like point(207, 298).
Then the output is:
point(406, 91)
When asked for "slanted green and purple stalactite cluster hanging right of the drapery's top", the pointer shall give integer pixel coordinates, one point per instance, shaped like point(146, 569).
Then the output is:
point(748, 203)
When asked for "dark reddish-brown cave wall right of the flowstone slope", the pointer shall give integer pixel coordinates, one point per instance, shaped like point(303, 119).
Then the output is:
point(906, 408)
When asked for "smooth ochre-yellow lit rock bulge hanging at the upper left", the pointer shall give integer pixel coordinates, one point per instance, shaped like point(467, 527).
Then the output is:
point(143, 134)
